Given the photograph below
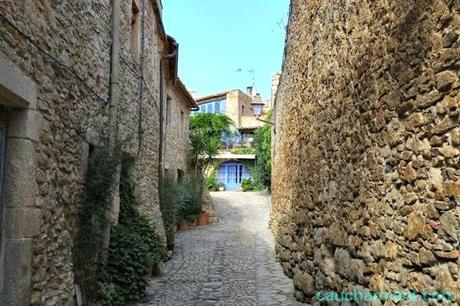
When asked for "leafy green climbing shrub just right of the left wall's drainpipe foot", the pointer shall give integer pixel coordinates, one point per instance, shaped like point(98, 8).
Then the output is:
point(134, 247)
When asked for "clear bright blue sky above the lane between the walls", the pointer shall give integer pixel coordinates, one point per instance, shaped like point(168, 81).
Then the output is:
point(227, 44)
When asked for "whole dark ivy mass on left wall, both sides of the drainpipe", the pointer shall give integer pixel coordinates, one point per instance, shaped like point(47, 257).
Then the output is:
point(116, 275)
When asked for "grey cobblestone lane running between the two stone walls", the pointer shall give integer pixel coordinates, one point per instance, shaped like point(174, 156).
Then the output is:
point(228, 263)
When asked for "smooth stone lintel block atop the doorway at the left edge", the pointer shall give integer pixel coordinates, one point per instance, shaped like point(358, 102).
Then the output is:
point(16, 89)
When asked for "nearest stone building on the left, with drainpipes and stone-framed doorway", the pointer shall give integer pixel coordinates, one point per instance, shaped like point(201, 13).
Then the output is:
point(72, 74)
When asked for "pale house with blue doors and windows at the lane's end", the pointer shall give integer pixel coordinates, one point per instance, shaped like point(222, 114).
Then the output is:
point(239, 107)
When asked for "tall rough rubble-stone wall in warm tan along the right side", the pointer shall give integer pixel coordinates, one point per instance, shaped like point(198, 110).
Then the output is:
point(366, 176)
